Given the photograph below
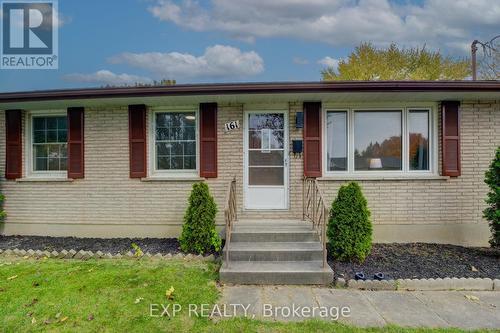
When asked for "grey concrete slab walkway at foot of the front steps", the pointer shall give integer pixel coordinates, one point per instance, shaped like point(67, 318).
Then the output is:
point(461, 309)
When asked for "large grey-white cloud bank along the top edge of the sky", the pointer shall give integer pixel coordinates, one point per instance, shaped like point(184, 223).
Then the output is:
point(437, 23)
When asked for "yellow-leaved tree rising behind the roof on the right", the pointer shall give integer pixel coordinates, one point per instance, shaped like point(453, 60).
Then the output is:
point(369, 63)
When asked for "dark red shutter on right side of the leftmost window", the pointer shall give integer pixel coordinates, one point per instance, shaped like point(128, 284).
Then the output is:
point(76, 159)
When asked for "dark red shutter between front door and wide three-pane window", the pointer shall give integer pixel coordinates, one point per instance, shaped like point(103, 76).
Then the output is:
point(312, 139)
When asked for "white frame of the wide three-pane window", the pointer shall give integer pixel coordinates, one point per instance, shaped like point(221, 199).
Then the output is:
point(405, 172)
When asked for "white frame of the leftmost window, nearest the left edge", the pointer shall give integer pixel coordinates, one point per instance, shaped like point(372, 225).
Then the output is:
point(29, 163)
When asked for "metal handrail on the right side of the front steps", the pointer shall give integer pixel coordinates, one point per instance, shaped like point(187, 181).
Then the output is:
point(314, 209)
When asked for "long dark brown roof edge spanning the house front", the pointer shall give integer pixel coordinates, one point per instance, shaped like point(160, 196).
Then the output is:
point(252, 88)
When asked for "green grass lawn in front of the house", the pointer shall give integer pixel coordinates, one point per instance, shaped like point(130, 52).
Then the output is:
point(115, 296)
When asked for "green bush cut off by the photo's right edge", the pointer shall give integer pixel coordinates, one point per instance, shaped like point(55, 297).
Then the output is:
point(492, 212)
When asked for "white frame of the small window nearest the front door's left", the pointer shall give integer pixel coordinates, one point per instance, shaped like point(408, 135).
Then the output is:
point(153, 171)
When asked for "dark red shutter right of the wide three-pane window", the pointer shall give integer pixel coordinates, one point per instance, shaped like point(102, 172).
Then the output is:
point(450, 117)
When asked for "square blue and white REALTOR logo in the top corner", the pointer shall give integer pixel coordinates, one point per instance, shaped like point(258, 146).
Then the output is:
point(29, 35)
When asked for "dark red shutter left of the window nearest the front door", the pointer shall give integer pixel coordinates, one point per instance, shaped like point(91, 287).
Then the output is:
point(137, 140)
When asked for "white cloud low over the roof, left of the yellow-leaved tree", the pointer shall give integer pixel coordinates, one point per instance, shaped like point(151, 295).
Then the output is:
point(218, 61)
